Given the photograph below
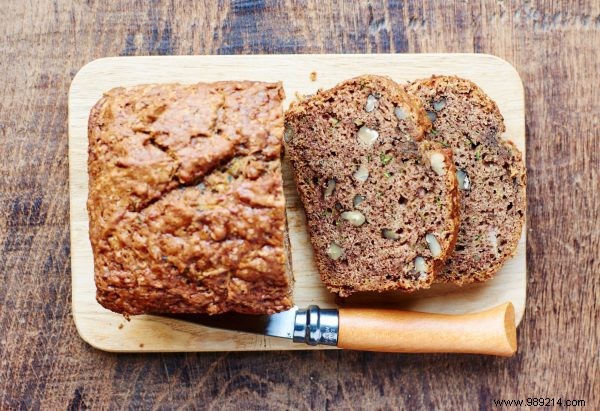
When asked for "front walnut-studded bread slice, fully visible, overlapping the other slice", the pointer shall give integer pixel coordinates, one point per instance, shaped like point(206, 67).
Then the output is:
point(381, 205)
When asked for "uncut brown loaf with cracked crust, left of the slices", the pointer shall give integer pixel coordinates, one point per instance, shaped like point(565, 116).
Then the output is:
point(185, 201)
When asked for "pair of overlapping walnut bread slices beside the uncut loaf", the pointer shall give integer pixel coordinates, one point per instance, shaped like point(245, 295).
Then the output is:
point(377, 168)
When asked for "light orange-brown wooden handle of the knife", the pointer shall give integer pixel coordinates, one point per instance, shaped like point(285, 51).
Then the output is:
point(490, 332)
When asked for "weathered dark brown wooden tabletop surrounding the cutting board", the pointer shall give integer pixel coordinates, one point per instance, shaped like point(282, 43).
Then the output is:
point(555, 48)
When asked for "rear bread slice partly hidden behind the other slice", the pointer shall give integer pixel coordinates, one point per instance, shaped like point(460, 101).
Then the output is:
point(490, 171)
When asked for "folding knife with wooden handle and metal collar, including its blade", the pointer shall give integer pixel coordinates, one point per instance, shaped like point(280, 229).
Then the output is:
point(491, 332)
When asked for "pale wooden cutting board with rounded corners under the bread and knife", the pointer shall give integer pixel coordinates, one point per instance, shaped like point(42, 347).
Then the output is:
point(108, 331)
